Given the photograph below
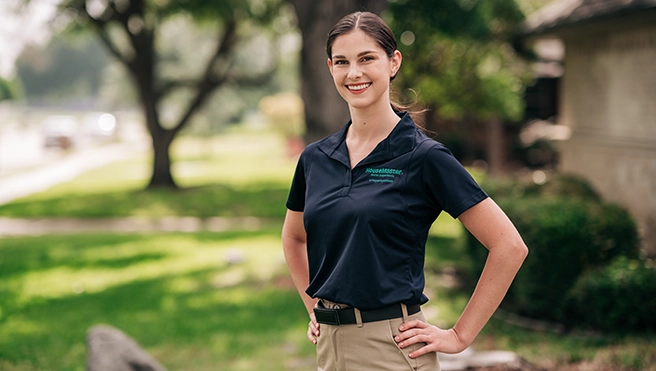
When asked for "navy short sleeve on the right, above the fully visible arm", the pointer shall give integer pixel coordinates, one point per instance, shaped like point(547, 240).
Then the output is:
point(448, 183)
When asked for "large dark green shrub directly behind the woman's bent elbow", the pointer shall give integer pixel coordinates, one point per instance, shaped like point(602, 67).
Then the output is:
point(566, 237)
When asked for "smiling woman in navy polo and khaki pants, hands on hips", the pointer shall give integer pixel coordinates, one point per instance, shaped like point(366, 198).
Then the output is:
point(359, 210)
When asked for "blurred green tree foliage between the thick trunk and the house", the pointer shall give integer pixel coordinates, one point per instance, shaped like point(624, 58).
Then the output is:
point(458, 59)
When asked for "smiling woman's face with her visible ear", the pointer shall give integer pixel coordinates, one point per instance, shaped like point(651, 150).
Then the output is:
point(361, 70)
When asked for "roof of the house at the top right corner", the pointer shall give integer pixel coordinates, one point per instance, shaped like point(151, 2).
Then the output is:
point(561, 13)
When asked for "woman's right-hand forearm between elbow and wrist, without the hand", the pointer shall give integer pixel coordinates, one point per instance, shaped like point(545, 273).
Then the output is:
point(500, 269)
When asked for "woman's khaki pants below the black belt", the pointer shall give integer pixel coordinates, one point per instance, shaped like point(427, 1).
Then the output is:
point(370, 346)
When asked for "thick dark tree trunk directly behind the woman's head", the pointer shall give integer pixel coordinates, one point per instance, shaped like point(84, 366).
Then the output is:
point(325, 110)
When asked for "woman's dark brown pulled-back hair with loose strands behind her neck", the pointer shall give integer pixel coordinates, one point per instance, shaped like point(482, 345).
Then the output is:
point(377, 29)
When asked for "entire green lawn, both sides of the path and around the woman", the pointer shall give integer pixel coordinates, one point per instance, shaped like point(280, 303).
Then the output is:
point(180, 297)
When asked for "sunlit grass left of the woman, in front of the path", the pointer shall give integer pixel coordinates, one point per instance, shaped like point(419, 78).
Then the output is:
point(178, 295)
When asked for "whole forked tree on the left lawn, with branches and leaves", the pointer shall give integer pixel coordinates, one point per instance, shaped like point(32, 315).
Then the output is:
point(129, 29)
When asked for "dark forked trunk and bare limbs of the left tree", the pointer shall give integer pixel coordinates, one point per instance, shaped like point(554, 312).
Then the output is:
point(141, 63)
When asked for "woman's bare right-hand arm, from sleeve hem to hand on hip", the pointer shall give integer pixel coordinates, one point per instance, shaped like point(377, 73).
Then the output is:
point(490, 225)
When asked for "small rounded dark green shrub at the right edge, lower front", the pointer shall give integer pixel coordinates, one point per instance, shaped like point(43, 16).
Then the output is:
point(620, 297)
